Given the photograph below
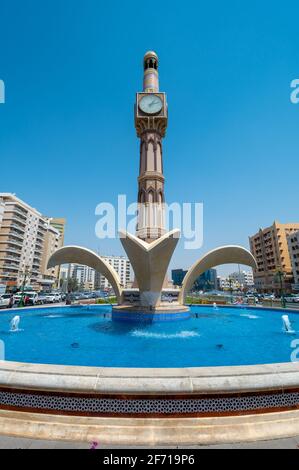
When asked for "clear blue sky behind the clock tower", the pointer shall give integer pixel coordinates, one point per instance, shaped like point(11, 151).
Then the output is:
point(67, 138)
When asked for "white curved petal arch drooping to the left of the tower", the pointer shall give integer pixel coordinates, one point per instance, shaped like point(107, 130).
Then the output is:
point(80, 255)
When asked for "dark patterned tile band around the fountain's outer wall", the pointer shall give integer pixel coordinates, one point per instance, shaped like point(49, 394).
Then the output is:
point(98, 405)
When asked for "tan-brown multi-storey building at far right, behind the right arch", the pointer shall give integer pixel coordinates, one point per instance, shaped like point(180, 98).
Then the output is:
point(269, 246)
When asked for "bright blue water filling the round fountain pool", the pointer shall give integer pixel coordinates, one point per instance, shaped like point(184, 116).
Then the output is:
point(87, 336)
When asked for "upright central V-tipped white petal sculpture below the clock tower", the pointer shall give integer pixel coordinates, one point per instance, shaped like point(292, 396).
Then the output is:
point(150, 262)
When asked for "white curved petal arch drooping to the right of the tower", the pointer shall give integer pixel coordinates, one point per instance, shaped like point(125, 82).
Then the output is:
point(222, 255)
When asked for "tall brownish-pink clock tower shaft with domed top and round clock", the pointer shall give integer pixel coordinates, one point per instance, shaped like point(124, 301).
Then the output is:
point(150, 124)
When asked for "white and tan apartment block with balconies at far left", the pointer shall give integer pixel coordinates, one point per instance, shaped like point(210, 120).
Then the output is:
point(26, 239)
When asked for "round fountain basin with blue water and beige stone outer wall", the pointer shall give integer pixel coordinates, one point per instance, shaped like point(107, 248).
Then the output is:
point(225, 374)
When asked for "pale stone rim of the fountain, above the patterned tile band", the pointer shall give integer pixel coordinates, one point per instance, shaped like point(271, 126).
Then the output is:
point(166, 381)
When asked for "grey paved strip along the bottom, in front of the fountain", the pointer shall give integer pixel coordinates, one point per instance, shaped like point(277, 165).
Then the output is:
point(22, 443)
